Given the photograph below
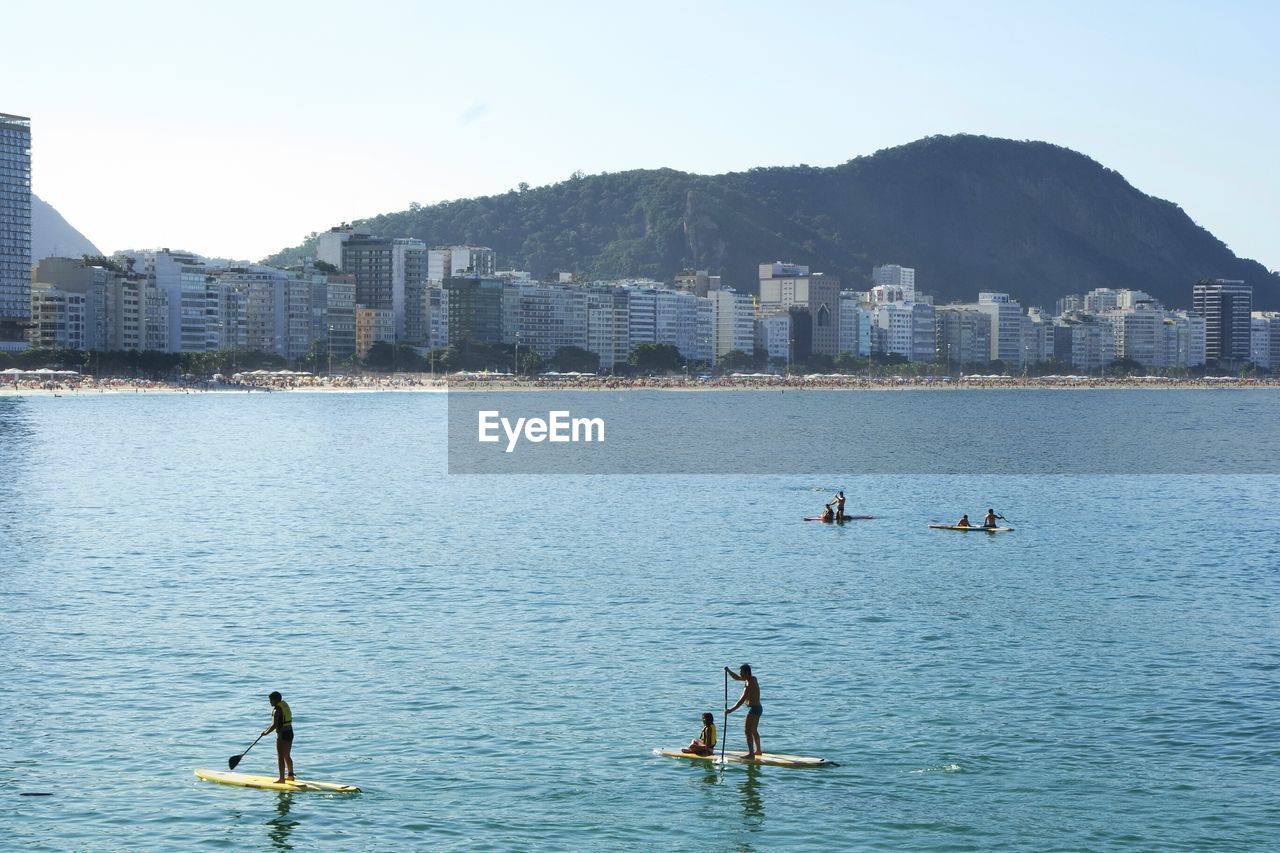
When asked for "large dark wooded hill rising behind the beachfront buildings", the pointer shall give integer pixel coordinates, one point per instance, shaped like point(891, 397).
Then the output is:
point(968, 213)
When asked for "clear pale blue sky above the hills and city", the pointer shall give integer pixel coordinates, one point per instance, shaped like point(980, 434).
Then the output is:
point(236, 129)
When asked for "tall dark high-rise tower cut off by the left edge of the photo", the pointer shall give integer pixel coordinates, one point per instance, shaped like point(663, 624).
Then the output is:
point(15, 227)
